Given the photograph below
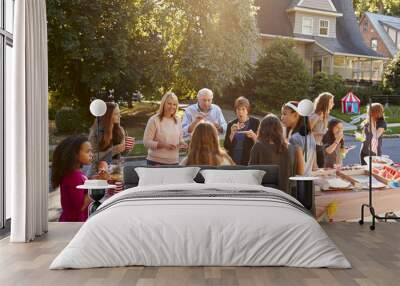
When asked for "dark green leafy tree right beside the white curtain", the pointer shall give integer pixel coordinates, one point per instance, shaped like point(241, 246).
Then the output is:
point(87, 47)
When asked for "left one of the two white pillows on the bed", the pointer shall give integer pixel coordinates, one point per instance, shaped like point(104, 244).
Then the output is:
point(166, 176)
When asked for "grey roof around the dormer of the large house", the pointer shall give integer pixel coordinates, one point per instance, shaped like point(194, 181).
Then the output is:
point(273, 20)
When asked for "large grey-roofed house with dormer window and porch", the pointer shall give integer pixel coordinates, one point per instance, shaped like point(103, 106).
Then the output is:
point(326, 34)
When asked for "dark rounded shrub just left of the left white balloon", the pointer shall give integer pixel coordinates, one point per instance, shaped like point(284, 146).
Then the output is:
point(70, 121)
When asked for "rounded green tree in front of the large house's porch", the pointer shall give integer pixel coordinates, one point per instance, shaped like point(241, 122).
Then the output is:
point(280, 74)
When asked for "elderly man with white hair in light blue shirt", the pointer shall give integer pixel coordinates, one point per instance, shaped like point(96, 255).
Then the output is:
point(203, 111)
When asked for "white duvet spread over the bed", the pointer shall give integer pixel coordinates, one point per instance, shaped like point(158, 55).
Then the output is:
point(207, 231)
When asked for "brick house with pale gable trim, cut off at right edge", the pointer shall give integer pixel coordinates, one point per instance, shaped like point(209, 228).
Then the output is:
point(381, 33)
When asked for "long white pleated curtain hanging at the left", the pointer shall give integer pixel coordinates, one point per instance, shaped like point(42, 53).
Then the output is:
point(27, 124)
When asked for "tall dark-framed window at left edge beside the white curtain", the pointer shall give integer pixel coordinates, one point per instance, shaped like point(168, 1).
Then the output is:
point(6, 64)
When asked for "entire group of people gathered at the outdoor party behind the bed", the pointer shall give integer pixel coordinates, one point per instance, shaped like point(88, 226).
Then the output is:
point(247, 141)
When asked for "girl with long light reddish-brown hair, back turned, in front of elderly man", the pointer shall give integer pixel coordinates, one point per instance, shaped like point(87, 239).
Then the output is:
point(204, 148)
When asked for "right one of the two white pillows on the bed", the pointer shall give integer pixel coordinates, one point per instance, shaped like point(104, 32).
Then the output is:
point(245, 177)
